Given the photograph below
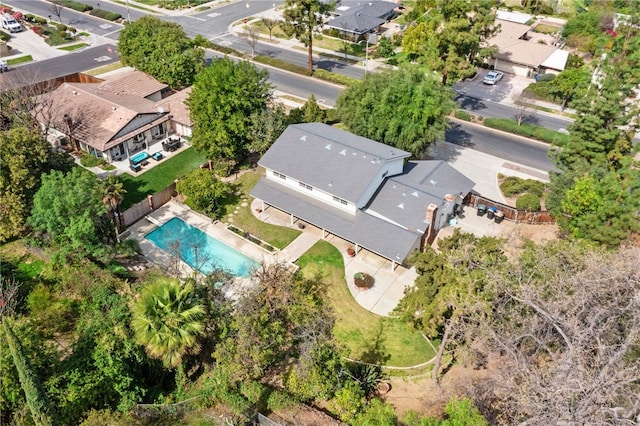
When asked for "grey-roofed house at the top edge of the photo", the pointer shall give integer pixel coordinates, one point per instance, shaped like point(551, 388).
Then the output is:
point(354, 22)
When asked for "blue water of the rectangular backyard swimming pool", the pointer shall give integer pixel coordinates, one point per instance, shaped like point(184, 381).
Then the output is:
point(196, 247)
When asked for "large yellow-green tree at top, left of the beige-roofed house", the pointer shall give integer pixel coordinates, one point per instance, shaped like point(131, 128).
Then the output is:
point(451, 37)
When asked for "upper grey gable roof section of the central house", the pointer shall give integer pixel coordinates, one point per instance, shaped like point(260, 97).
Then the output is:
point(330, 159)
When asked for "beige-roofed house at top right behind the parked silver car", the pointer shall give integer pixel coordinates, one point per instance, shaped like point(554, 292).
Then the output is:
point(518, 55)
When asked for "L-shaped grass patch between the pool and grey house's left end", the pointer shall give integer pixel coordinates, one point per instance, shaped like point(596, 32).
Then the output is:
point(277, 236)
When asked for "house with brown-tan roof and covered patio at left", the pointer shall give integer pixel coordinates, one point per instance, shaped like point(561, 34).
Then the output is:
point(112, 119)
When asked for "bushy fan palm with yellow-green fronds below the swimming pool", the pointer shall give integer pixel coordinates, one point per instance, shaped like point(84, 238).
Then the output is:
point(167, 321)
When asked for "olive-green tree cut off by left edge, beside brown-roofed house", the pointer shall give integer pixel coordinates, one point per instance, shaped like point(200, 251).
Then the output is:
point(24, 156)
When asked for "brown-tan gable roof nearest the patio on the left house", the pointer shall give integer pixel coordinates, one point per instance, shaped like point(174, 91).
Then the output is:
point(99, 118)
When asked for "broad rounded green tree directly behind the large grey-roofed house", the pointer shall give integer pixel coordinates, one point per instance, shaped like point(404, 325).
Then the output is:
point(404, 108)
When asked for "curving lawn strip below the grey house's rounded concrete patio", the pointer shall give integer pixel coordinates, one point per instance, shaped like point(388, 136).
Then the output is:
point(368, 337)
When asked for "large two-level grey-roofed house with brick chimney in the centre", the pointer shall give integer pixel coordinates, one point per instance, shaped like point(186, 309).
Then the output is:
point(361, 190)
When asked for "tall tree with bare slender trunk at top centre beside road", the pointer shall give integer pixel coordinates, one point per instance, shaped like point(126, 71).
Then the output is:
point(302, 18)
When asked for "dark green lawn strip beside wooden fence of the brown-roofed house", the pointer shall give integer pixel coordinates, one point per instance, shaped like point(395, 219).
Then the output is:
point(159, 177)
